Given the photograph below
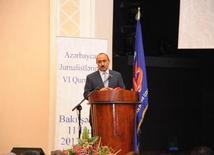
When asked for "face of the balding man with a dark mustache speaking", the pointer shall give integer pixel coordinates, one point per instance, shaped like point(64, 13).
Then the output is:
point(102, 62)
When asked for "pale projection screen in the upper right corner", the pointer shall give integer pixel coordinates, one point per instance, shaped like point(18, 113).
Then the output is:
point(196, 24)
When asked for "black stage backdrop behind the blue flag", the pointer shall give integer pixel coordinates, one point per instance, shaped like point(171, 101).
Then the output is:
point(180, 81)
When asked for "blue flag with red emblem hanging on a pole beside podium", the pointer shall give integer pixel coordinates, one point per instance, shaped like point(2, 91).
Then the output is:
point(139, 81)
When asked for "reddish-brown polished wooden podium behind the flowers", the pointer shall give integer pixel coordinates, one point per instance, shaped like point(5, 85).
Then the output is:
point(113, 118)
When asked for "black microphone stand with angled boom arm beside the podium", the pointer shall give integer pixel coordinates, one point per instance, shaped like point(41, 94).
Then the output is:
point(79, 107)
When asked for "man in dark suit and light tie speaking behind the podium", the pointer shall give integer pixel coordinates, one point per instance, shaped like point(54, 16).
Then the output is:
point(103, 78)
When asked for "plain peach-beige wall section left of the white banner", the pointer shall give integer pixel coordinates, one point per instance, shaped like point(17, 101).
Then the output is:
point(24, 74)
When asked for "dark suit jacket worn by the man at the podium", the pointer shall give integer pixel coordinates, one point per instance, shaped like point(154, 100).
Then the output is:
point(94, 80)
